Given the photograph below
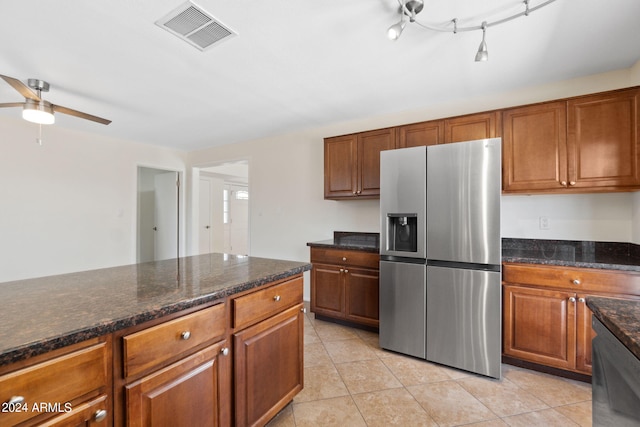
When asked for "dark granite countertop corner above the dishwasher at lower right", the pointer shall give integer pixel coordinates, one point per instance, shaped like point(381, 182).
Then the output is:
point(621, 317)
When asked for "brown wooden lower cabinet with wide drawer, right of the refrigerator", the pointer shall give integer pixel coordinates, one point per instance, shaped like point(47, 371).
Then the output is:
point(545, 317)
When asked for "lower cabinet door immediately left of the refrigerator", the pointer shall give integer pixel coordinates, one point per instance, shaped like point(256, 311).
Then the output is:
point(362, 295)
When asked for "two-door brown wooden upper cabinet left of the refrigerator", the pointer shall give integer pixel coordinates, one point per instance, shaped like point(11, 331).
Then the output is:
point(352, 163)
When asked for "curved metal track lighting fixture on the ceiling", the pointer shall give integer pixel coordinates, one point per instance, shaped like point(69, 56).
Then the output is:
point(411, 8)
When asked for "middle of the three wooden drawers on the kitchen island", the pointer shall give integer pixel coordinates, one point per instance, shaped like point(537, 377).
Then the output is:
point(155, 345)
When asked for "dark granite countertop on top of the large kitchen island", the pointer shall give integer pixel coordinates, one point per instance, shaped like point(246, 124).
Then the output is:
point(43, 314)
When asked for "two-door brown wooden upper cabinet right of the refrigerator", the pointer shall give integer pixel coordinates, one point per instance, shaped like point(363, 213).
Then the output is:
point(583, 144)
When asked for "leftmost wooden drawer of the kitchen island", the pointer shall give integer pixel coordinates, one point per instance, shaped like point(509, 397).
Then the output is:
point(56, 382)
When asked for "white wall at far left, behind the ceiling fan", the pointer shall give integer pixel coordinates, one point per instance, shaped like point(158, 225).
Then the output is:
point(70, 204)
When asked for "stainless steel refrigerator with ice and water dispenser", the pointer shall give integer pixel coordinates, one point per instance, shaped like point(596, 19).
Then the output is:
point(459, 292)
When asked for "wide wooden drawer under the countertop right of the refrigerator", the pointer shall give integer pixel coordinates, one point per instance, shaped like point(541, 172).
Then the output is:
point(574, 279)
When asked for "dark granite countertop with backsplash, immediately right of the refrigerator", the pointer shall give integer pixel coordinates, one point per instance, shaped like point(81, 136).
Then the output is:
point(571, 253)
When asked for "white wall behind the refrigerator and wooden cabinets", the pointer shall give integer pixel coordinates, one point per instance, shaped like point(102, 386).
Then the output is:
point(286, 179)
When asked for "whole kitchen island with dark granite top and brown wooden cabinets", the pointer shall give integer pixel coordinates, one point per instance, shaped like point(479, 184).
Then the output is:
point(94, 345)
